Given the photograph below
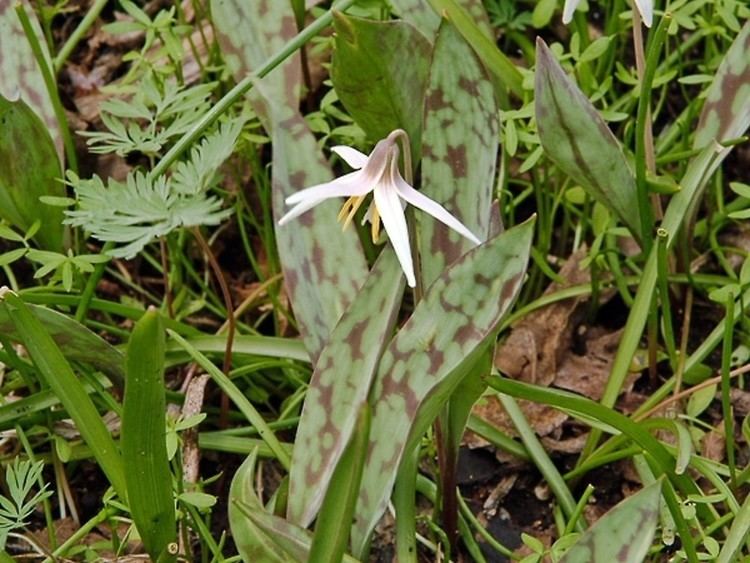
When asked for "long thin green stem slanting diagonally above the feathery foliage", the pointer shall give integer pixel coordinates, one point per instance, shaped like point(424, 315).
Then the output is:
point(241, 88)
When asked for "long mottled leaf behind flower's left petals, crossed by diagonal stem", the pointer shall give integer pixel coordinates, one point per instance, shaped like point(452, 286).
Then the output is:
point(323, 266)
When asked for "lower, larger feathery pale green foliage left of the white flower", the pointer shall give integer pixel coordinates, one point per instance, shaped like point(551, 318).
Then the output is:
point(141, 209)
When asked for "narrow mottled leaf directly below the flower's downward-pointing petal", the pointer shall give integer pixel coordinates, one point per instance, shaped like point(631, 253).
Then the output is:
point(339, 386)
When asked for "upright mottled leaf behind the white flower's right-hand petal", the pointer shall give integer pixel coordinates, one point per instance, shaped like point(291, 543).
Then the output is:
point(460, 145)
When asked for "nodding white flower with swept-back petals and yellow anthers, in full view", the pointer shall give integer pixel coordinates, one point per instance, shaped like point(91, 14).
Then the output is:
point(377, 173)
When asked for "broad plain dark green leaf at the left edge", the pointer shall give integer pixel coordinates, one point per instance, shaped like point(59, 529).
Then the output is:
point(29, 169)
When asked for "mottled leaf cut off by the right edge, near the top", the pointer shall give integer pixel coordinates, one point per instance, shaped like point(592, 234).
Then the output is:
point(726, 113)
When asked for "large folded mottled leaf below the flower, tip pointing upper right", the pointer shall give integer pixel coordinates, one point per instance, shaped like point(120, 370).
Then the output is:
point(448, 331)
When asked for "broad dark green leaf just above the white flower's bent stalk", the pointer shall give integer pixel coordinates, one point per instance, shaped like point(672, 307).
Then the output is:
point(380, 74)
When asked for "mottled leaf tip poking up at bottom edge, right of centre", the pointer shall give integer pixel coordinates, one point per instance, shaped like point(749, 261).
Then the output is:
point(622, 535)
